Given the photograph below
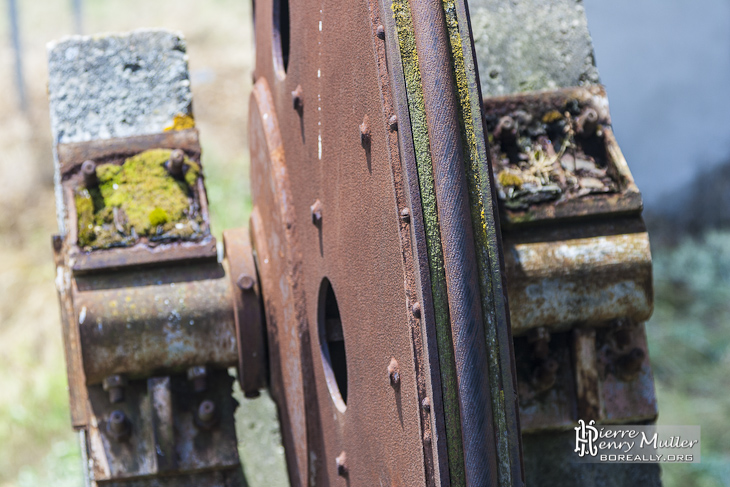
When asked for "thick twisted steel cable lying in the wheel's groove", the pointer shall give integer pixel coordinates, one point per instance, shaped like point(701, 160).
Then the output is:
point(457, 237)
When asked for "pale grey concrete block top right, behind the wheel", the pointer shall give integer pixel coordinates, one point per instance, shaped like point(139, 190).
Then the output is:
point(527, 45)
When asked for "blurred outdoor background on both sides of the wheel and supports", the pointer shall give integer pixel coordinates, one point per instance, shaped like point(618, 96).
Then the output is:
point(666, 64)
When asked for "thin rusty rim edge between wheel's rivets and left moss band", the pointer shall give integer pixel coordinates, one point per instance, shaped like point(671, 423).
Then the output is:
point(405, 177)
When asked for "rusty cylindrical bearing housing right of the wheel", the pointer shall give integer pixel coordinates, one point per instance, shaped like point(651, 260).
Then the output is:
point(582, 277)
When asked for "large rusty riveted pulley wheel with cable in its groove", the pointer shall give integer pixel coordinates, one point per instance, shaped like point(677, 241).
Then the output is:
point(375, 237)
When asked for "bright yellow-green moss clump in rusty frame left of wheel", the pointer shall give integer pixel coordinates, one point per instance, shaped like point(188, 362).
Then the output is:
point(139, 198)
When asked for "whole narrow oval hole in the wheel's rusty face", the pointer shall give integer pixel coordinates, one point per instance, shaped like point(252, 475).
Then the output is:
point(332, 344)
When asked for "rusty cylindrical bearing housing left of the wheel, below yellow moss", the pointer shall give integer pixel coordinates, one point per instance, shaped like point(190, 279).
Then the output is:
point(152, 320)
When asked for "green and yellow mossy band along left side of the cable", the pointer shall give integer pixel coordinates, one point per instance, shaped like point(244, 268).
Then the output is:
point(419, 128)
